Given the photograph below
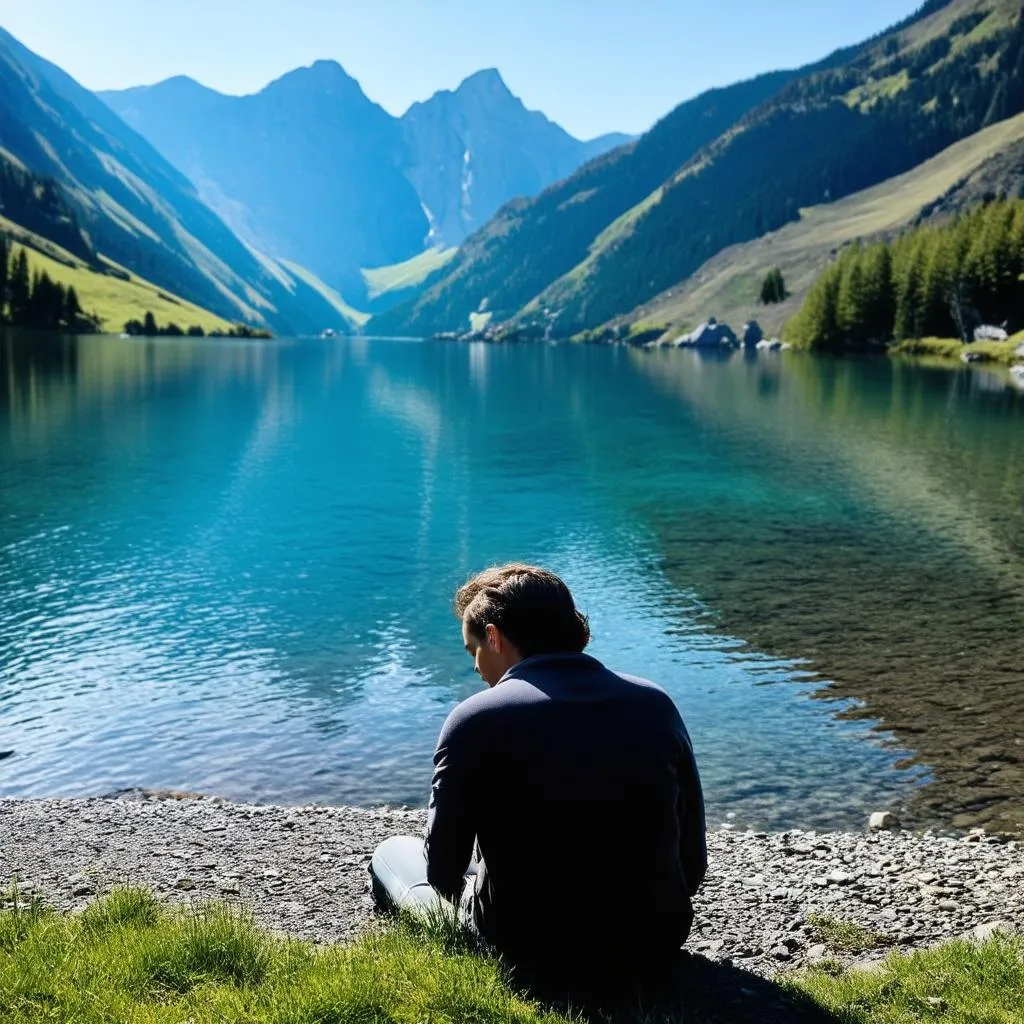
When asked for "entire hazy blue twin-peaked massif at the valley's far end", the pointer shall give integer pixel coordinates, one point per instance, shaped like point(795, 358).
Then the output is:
point(311, 170)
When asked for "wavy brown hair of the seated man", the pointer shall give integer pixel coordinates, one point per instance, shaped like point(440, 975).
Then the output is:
point(532, 607)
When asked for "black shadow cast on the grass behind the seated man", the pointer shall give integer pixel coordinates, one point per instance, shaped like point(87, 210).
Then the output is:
point(693, 991)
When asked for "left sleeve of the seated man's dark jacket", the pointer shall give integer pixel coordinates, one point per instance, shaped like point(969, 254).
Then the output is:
point(452, 814)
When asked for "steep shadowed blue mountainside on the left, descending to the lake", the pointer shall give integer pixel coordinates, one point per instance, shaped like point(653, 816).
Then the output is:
point(136, 209)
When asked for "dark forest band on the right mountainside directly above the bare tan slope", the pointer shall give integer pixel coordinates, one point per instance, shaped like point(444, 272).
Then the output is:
point(813, 144)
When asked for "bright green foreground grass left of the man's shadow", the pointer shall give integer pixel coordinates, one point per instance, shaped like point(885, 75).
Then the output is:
point(129, 959)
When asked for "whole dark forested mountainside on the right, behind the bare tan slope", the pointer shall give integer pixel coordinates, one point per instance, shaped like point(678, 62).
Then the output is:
point(860, 118)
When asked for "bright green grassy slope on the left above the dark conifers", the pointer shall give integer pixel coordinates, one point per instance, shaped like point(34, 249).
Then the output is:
point(111, 298)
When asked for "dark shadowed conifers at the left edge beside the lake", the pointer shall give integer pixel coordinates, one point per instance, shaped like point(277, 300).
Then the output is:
point(35, 301)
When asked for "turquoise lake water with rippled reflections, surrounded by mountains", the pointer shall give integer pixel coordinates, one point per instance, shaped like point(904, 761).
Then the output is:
point(228, 567)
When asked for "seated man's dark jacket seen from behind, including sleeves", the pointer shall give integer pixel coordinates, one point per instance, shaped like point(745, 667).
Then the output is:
point(582, 790)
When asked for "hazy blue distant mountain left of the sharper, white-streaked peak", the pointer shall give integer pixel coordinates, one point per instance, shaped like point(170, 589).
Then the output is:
point(309, 169)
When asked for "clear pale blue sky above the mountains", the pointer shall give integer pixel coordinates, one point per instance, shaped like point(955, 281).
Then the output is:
point(593, 66)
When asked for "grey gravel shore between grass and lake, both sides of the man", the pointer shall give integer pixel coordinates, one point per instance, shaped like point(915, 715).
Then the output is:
point(302, 871)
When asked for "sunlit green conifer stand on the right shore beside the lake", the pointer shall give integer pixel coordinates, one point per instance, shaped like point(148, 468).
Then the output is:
point(936, 281)
